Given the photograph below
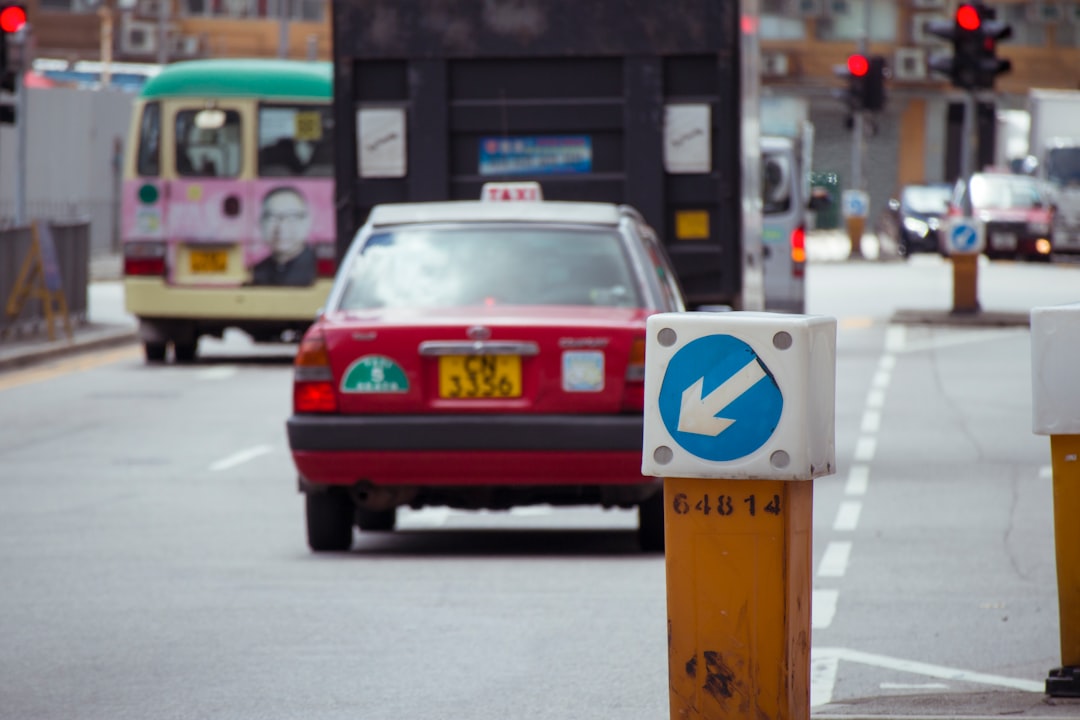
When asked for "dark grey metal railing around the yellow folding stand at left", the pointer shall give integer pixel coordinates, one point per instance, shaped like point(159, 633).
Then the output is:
point(73, 255)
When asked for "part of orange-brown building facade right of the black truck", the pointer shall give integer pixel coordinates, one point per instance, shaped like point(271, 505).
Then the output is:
point(916, 139)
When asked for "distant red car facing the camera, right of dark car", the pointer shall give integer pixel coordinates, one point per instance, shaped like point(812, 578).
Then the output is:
point(1017, 213)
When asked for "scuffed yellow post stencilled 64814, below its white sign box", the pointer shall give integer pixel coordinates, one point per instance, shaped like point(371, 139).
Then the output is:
point(739, 589)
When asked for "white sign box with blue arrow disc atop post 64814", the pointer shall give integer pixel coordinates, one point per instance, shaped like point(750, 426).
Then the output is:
point(740, 396)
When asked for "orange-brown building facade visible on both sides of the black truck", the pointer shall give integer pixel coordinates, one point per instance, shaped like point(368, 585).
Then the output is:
point(916, 139)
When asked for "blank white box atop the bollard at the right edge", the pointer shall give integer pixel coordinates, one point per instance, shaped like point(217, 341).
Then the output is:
point(1056, 347)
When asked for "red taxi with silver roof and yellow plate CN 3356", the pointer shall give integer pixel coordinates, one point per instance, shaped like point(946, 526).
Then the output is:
point(481, 356)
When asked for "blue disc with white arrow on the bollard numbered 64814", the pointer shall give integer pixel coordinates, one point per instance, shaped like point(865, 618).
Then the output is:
point(719, 401)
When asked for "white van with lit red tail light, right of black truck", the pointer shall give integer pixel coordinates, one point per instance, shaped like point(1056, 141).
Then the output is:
point(786, 200)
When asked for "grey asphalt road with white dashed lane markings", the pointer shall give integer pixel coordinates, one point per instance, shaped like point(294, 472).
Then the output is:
point(154, 564)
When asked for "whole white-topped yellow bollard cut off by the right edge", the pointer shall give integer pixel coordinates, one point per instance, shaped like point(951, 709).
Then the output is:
point(1056, 345)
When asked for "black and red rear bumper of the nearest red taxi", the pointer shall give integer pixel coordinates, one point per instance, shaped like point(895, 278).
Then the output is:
point(468, 451)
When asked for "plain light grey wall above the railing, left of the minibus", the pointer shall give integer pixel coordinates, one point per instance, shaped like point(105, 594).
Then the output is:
point(75, 142)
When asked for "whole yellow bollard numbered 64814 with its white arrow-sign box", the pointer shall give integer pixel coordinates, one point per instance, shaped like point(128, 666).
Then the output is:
point(739, 420)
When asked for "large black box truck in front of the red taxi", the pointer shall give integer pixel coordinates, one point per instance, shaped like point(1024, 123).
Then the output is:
point(632, 102)
